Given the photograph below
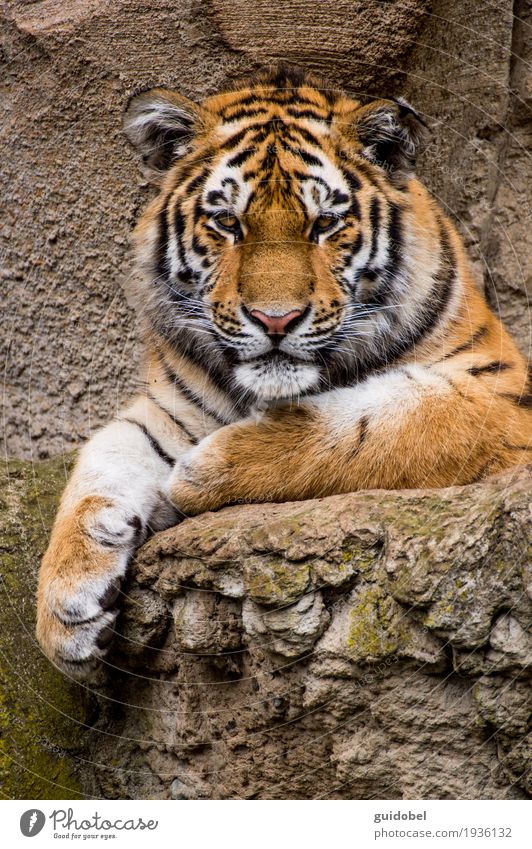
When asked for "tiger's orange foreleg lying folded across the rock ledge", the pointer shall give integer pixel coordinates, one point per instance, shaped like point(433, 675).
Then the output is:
point(412, 426)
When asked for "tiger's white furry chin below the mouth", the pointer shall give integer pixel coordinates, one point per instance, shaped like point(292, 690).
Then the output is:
point(277, 378)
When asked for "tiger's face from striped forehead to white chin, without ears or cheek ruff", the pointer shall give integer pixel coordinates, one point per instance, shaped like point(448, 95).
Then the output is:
point(270, 218)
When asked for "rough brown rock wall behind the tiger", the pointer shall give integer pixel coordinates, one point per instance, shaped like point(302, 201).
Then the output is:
point(71, 189)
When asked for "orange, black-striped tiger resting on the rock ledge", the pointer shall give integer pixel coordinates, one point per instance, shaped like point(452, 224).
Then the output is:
point(311, 326)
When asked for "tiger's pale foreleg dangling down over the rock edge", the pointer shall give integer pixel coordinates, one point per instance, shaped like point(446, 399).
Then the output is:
point(114, 497)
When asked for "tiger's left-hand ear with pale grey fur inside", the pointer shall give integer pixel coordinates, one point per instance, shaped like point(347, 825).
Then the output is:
point(161, 124)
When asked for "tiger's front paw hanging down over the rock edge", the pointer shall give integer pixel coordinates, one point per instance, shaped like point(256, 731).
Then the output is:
point(80, 584)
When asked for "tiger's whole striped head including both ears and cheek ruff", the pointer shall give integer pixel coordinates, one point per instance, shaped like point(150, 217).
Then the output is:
point(279, 247)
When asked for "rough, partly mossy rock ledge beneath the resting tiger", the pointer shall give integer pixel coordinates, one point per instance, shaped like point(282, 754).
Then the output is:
point(371, 645)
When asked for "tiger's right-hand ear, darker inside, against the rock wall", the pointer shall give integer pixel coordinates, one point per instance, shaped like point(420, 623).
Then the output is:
point(391, 134)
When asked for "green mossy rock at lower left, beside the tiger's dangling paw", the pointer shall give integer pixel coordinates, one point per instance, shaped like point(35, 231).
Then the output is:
point(42, 715)
